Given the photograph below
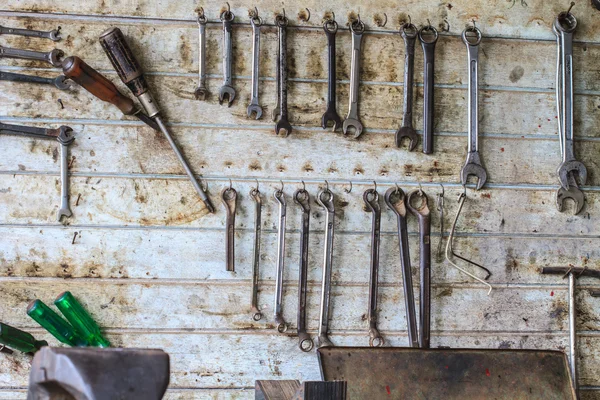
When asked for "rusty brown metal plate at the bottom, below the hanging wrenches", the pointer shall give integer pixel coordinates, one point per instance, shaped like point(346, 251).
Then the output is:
point(407, 373)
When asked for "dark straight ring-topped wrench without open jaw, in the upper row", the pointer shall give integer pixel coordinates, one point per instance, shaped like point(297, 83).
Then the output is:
point(428, 36)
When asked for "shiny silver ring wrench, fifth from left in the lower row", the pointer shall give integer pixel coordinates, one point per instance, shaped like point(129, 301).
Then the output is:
point(325, 200)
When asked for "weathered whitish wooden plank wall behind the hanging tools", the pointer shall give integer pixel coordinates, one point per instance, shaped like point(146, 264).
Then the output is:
point(148, 262)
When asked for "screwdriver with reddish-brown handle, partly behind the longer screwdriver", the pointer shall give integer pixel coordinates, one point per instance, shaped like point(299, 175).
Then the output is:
point(91, 80)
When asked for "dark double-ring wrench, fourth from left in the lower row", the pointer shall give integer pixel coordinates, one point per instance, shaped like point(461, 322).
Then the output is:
point(302, 198)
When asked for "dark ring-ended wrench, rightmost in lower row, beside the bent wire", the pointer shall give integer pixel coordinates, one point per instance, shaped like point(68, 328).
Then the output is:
point(421, 211)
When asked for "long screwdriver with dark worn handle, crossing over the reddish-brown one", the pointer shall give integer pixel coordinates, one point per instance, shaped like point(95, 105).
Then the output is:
point(129, 70)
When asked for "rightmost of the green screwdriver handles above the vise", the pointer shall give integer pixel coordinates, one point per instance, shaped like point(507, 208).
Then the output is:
point(80, 319)
